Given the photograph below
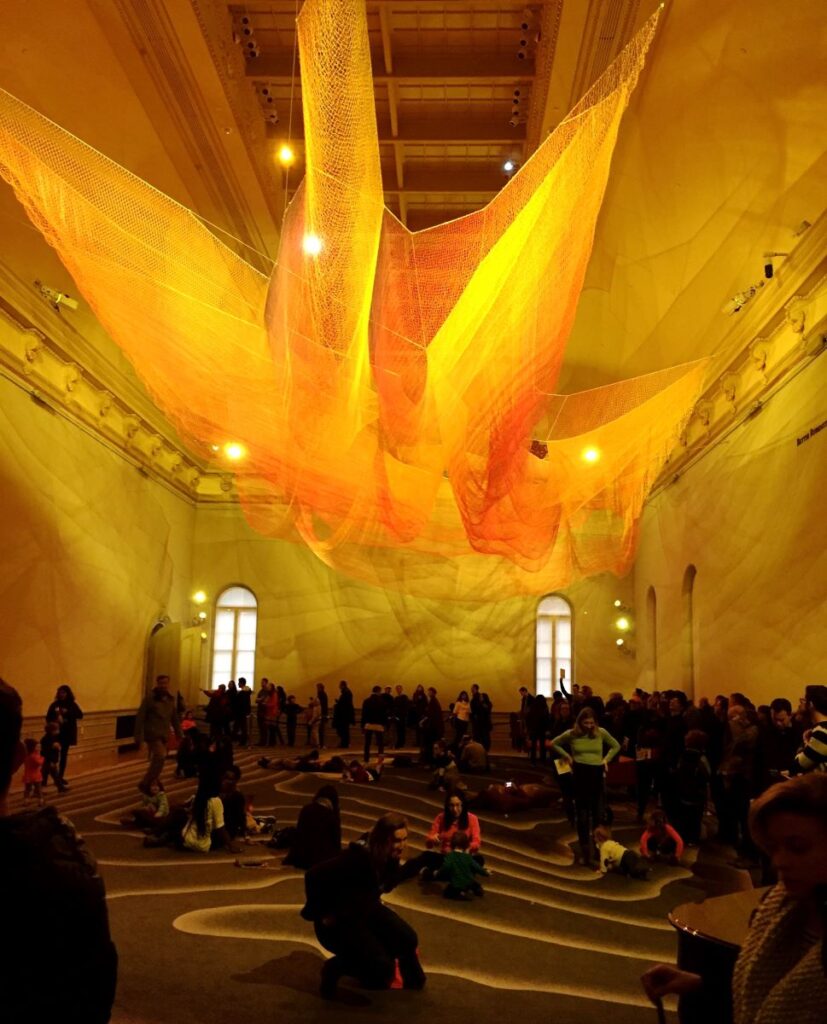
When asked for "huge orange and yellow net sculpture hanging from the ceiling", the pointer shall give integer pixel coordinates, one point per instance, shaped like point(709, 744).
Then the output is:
point(395, 391)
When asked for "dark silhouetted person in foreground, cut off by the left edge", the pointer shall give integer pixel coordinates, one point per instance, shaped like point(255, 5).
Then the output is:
point(50, 886)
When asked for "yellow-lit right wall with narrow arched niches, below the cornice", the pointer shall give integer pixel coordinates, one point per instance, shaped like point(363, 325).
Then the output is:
point(751, 517)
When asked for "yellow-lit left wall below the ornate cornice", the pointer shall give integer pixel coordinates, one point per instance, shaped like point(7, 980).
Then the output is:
point(92, 553)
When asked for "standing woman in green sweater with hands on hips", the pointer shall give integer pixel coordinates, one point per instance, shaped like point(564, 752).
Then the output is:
point(583, 748)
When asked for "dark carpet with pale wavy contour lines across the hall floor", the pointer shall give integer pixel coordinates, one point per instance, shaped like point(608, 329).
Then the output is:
point(202, 941)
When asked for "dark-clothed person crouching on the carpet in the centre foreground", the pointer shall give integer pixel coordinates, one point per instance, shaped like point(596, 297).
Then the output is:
point(344, 903)
